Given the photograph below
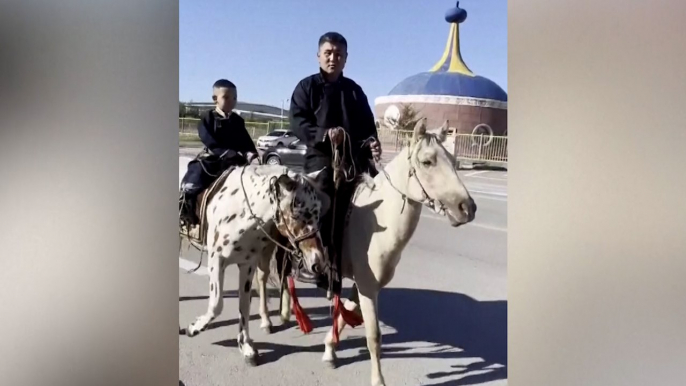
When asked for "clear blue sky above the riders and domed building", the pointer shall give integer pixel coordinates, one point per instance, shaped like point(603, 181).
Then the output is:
point(267, 46)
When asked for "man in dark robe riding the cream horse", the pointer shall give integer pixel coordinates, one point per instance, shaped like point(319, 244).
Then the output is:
point(330, 113)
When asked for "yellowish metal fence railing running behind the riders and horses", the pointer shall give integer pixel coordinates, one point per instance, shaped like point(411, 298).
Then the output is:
point(465, 147)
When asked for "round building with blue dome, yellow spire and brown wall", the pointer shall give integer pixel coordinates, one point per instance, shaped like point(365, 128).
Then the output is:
point(450, 91)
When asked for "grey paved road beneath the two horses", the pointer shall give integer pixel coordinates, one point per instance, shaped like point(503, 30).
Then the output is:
point(444, 315)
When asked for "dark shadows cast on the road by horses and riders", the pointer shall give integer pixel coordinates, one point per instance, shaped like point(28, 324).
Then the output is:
point(448, 320)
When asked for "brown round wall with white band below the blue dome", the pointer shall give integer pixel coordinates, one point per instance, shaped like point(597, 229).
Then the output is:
point(464, 118)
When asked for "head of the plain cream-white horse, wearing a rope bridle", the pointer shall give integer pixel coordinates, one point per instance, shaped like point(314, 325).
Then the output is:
point(436, 180)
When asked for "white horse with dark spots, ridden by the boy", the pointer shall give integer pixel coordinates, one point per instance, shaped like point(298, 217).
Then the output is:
point(247, 209)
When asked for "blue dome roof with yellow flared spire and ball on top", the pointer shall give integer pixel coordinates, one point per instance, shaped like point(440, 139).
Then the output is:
point(450, 76)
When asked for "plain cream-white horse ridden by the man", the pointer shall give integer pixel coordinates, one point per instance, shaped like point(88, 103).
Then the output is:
point(386, 212)
